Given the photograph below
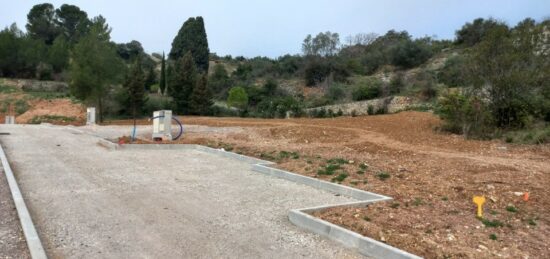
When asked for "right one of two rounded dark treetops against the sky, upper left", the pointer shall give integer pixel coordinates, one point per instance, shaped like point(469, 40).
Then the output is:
point(73, 22)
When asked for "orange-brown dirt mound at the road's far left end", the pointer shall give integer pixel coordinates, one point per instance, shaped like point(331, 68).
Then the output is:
point(60, 108)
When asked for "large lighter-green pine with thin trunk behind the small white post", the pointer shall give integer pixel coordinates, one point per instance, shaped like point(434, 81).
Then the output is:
point(95, 65)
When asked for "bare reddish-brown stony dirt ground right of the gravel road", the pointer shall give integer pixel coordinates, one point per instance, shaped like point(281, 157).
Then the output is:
point(432, 177)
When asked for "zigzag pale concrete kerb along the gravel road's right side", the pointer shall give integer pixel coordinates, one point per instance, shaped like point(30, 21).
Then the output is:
point(300, 217)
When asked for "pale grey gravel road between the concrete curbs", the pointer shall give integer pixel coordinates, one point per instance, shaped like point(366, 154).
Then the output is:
point(88, 202)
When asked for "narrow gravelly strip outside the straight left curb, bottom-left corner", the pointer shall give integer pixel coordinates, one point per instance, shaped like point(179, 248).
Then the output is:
point(12, 241)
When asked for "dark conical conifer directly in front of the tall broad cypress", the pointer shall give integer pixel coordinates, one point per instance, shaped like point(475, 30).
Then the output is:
point(182, 80)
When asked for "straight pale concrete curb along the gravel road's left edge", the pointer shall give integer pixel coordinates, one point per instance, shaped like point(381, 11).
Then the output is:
point(33, 240)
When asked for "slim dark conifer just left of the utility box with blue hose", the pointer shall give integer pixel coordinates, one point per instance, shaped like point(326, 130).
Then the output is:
point(135, 87)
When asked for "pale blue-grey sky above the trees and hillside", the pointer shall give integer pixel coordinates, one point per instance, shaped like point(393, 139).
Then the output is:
point(277, 27)
